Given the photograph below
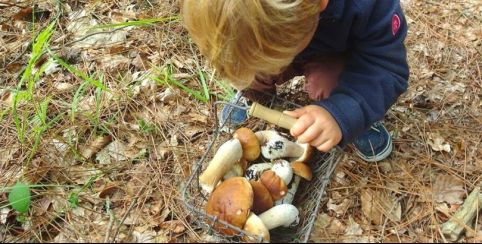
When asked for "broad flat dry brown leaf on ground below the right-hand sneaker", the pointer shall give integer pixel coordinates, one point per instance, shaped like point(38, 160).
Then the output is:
point(376, 205)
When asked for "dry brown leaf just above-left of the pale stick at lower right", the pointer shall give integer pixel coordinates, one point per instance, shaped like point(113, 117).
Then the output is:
point(449, 189)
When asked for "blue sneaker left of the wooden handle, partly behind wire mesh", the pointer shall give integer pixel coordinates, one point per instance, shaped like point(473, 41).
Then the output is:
point(232, 116)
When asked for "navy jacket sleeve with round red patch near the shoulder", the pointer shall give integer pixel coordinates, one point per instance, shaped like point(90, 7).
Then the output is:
point(376, 72)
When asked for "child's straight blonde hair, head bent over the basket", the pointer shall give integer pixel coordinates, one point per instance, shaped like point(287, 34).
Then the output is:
point(247, 38)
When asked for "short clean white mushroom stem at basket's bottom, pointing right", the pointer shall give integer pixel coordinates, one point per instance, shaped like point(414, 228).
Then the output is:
point(285, 215)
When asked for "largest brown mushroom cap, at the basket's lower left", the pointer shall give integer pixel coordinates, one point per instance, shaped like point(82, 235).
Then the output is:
point(231, 201)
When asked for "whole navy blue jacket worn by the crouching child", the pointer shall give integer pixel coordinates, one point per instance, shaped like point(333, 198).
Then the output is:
point(372, 33)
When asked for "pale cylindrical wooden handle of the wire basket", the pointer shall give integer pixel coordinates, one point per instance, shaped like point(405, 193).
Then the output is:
point(273, 116)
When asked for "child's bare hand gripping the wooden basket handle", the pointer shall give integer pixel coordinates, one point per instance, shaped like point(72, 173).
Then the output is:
point(315, 126)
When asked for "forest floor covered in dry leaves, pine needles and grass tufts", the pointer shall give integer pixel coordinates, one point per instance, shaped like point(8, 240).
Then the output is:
point(105, 106)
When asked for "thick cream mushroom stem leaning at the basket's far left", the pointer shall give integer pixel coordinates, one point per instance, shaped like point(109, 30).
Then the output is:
point(225, 158)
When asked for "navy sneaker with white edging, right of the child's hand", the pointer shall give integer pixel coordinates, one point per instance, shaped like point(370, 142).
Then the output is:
point(375, 144)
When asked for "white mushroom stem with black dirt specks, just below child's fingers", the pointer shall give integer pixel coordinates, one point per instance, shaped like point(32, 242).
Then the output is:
point(274, 146)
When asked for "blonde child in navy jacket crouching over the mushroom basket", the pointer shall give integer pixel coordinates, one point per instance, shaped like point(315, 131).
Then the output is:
point(351, 53)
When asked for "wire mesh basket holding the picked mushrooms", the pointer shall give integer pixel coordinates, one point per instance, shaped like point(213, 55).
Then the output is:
point(308, 198)
